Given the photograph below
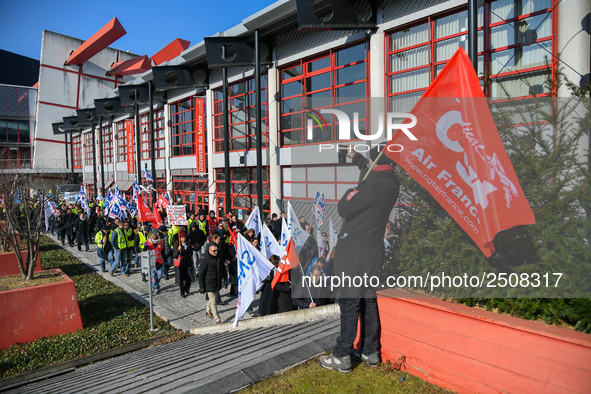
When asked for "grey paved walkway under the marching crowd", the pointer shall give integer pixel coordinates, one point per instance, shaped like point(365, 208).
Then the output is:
point(183, 313)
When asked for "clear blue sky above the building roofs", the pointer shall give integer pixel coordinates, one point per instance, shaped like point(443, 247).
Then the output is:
point(150, 24)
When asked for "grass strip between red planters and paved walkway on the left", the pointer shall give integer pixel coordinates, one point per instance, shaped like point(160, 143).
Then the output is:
point(111, 318)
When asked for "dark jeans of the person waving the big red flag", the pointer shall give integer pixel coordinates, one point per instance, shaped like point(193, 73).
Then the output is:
point(351, 308)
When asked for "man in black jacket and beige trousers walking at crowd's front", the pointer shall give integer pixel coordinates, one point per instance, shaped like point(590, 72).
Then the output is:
point(211, 274)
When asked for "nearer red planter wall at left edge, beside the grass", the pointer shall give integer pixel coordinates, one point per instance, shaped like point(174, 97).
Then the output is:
point(34, 312)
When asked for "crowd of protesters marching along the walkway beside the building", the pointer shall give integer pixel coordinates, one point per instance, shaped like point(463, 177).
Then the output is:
point(199, 252)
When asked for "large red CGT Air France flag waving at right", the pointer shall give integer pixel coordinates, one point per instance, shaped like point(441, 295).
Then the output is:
point(459, 158)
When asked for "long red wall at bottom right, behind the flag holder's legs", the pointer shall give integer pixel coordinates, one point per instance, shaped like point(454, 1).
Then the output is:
point(470, 350)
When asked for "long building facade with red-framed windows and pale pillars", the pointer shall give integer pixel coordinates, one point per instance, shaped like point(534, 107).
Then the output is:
point(520, 45)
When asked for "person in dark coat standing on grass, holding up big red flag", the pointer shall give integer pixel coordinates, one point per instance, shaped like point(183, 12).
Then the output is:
point(360, 251)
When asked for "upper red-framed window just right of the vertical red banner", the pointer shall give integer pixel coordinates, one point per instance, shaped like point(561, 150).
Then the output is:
point(242, 111)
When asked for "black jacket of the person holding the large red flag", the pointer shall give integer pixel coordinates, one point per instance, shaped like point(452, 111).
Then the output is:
point(366, 210)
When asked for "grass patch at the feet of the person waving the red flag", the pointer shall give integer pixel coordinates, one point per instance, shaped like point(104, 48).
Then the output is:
point(310, 377)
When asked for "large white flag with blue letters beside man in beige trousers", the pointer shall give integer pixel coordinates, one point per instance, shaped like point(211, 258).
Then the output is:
point(253, 268)
